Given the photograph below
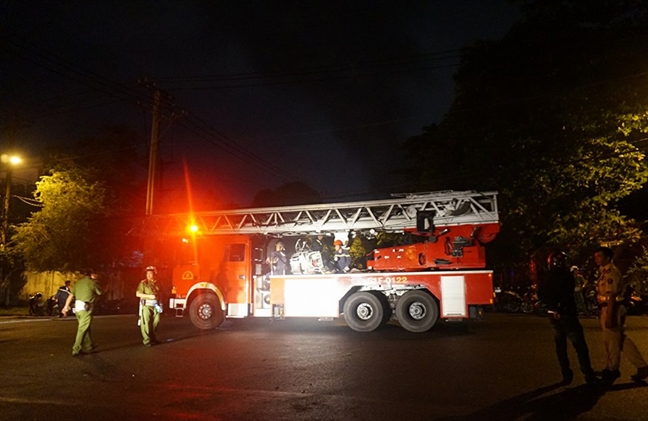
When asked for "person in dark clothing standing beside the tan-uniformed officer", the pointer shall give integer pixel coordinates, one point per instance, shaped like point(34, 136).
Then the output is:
point(556, 291)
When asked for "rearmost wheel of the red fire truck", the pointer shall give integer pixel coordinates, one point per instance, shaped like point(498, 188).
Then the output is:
point(417, 311)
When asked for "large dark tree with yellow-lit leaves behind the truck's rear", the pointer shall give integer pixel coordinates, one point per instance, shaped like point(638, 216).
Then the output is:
point(554, 116)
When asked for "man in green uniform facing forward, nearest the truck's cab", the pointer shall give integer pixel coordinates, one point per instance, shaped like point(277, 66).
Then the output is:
point(148, 291)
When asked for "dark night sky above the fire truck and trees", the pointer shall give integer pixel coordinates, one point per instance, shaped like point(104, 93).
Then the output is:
point(321, 92)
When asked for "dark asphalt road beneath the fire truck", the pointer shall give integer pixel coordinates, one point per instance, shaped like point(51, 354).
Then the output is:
point(502, 368)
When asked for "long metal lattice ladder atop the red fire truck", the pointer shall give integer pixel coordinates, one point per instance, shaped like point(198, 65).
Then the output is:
point(392, 215)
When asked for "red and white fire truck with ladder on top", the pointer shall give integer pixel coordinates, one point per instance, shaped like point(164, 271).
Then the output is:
point(221, 268)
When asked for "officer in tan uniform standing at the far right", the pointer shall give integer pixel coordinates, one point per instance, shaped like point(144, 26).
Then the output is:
point(609, 295)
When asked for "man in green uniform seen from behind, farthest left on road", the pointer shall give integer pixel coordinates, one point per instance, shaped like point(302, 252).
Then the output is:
point(86, 291)
